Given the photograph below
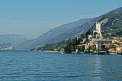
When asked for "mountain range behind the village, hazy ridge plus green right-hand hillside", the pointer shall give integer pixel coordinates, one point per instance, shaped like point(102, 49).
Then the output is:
point(112, 26)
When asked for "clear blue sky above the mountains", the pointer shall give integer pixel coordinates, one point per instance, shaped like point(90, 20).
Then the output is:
point(32, 18)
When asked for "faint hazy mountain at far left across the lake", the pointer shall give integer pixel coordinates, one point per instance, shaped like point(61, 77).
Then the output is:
point(11, 40)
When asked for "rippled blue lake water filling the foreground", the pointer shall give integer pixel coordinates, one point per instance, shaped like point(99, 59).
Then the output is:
point(45, 66)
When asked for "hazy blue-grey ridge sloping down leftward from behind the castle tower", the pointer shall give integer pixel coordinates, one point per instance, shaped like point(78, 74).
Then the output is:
point(63, 32)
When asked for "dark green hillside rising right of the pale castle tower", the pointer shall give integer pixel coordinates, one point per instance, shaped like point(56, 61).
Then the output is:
point(112, 23)
